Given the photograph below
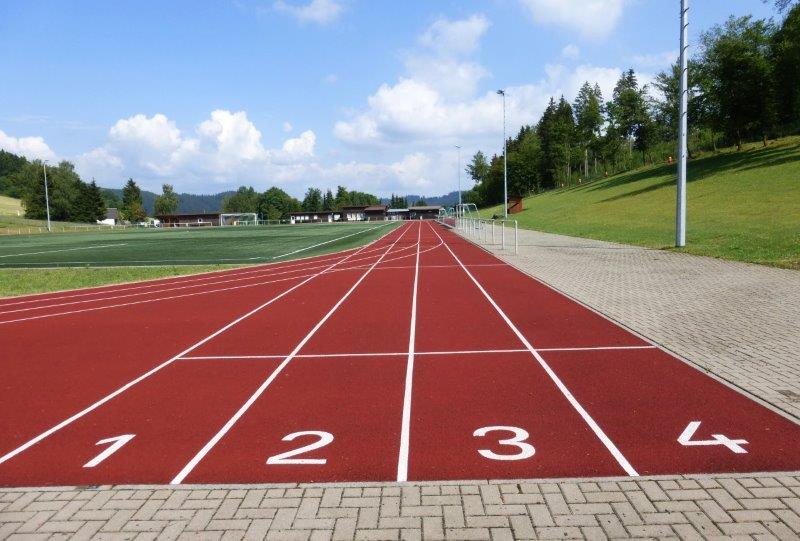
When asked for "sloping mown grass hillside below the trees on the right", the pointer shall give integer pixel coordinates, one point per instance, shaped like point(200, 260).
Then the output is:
point(740, 205)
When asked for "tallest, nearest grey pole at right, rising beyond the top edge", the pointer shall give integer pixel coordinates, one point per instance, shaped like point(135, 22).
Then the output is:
point(680, 211)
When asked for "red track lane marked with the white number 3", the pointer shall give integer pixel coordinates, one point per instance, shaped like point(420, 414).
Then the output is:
point(454, 395)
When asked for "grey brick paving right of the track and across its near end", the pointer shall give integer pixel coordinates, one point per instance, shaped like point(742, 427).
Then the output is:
point(740, 322)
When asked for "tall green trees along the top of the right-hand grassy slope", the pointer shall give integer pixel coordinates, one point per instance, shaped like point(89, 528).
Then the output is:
point(744, 85)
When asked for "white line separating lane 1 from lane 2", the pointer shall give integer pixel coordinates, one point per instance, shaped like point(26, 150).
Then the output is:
point(187, 469)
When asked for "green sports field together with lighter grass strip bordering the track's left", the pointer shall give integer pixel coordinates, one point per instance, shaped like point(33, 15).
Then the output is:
point(91, 259)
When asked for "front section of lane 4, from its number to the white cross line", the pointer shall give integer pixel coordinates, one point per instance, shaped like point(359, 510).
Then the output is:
point(645, 399)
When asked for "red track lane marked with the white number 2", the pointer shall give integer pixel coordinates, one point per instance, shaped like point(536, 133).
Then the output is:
point(328, 395)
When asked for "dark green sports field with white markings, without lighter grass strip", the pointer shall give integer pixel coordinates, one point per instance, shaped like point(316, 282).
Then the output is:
point(190, 246)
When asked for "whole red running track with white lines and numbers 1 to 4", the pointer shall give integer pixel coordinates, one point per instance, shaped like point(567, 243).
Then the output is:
point(417, 357)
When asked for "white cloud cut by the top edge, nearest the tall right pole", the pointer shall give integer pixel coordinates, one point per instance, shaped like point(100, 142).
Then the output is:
point(594, 19)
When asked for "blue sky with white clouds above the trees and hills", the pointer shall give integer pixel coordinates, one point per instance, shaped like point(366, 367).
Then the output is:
point(373, 94)
